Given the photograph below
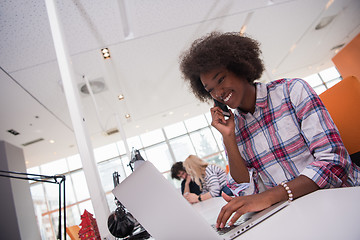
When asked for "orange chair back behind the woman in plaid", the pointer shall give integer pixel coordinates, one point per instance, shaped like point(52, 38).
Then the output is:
point(343, 103)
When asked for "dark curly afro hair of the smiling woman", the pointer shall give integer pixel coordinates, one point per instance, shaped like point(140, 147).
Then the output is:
point(238, 54)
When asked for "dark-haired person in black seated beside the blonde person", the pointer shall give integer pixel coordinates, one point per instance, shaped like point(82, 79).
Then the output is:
point(187, 185)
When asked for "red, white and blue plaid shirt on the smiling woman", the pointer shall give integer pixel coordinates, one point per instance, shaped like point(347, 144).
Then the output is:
point(291, 134)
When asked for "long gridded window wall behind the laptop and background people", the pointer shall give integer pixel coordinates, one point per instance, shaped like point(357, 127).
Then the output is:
point(163, 147)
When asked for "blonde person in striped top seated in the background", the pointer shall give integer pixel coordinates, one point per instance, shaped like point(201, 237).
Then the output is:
point(210, 177)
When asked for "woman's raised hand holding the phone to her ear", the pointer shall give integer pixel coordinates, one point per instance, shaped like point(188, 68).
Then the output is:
point(225, 127)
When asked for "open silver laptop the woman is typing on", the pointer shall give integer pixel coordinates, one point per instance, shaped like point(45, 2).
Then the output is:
point(166, 214)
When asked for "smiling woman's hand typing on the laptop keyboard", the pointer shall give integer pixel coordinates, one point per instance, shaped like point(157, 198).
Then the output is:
point(240, 206)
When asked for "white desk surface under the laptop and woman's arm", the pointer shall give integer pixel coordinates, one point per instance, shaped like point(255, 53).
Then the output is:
point(330, 214)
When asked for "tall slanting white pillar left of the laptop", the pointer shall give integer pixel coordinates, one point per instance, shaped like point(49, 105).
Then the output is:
point(92, 176)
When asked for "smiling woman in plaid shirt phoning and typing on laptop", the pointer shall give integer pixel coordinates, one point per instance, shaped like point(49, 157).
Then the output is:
point(280, 140)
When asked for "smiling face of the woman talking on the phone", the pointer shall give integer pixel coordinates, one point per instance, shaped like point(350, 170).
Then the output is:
point(230, 89)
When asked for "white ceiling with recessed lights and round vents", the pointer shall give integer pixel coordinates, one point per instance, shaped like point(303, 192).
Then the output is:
point(145, 39)
